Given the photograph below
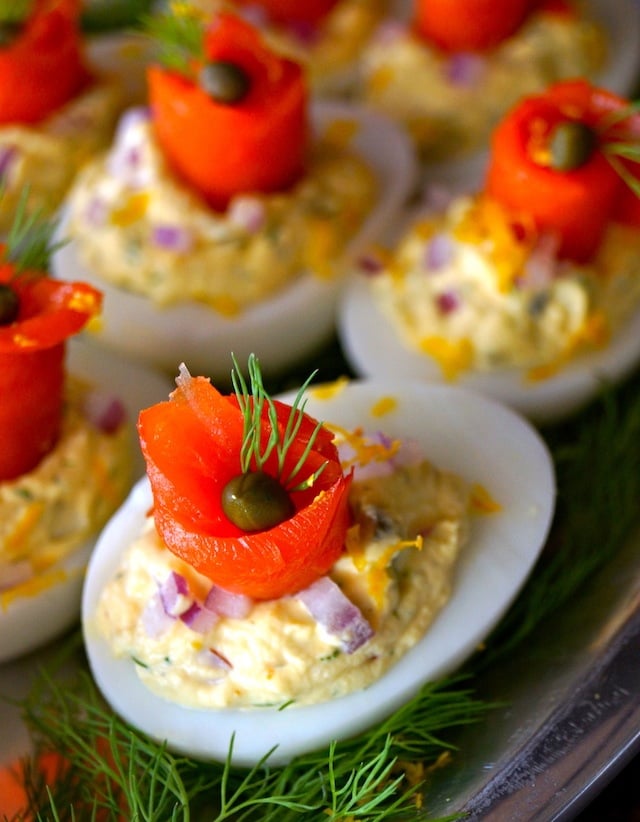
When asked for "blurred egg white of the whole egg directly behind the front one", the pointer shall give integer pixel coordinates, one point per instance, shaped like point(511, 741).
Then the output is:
point(281, 330)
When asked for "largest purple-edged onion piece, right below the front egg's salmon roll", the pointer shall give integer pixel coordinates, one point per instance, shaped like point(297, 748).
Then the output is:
point(336, 613)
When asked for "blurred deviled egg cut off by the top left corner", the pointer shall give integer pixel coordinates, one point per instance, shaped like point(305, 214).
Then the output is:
point(57, 108)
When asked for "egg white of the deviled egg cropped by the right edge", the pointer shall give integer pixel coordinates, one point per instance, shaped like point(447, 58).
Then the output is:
point(374, 349)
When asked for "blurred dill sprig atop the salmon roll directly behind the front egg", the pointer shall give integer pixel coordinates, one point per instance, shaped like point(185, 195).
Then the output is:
point(178, 36)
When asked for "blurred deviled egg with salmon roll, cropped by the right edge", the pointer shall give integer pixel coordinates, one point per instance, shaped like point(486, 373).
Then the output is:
point(527, 289)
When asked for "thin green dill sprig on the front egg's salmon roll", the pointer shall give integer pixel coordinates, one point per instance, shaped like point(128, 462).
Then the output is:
point(252, 402)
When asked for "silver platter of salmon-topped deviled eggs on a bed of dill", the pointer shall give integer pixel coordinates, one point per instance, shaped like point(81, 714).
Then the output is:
point(339, 577)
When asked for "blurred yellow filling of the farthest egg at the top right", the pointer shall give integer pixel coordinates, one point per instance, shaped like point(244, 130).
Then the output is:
point(413, 83)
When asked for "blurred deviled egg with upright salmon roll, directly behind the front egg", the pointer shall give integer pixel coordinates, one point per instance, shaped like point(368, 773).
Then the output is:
point(195, 262)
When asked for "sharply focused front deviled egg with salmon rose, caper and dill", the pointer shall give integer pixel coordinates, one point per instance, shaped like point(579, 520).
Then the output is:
point(311, 629)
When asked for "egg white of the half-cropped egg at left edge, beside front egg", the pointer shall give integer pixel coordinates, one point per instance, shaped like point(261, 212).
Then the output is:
point(29, 622)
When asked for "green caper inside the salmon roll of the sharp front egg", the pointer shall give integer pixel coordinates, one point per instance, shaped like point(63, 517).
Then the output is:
point(255, 501)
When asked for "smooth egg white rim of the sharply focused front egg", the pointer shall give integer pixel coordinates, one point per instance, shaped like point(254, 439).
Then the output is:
point(462, 432)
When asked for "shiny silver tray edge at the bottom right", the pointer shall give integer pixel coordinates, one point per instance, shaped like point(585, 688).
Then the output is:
point(571, 719)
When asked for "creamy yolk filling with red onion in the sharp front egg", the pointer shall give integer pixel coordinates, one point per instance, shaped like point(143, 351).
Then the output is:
point(199, 645)
